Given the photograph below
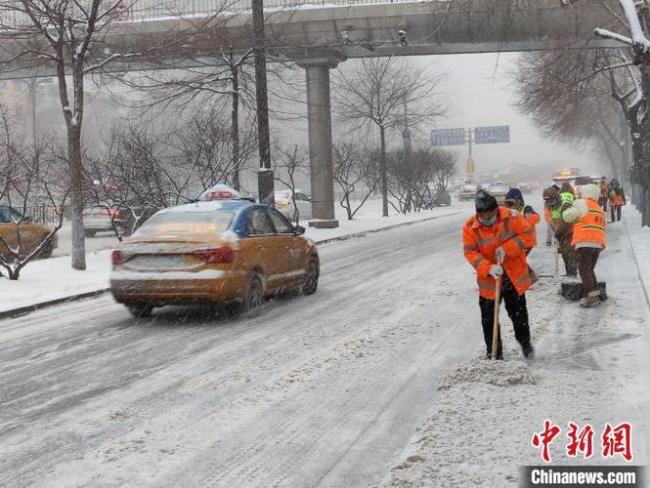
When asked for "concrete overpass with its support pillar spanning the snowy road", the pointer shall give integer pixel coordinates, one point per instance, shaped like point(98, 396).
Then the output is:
point(318, 36)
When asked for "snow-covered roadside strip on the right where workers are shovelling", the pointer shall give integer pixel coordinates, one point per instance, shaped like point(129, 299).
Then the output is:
point(591, 368)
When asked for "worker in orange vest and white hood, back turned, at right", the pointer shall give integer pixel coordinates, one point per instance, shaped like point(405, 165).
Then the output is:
point(589, 239)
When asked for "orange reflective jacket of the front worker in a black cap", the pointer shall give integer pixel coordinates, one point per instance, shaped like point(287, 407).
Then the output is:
point(512, 232)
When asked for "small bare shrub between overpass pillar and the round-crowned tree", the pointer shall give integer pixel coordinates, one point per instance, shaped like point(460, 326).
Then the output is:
point(354, 172)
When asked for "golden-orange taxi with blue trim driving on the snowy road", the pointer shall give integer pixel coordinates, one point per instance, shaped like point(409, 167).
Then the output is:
point(209, 252)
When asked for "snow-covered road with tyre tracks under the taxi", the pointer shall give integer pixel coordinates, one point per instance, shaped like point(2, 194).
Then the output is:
point(318, 391)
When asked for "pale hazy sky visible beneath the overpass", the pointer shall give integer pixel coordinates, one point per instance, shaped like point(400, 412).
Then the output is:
point(478, 92)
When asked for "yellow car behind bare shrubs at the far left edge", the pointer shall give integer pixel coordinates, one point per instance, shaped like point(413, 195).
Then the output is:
point(32, 234)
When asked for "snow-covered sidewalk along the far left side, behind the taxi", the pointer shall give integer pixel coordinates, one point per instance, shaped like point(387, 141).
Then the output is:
point(52, 280)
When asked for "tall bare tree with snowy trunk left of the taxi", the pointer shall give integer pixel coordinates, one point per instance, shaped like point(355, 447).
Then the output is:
point(69, 37)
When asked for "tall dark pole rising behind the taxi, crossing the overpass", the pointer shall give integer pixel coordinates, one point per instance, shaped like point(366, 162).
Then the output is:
point(265, 174)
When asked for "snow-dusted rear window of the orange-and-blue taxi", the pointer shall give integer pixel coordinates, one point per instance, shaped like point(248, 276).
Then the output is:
point(186, 223)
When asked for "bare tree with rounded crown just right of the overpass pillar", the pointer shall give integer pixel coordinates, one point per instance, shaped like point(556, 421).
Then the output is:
point(374, 91)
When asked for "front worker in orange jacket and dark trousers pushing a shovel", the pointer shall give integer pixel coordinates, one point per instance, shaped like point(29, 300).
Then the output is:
point(498, 235)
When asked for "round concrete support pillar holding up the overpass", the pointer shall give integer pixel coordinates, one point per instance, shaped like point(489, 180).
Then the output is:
point(319, 113)
